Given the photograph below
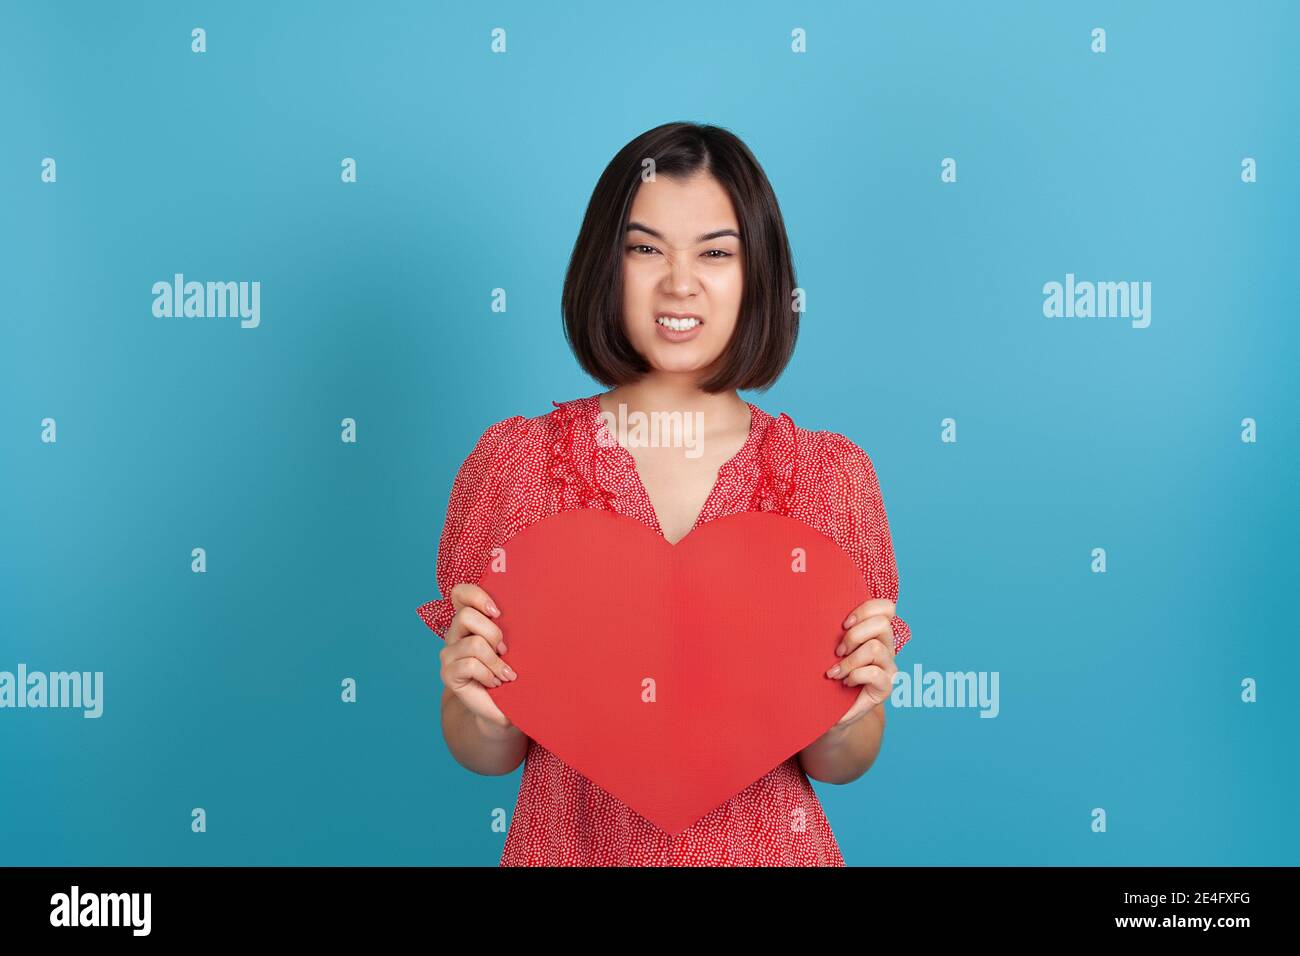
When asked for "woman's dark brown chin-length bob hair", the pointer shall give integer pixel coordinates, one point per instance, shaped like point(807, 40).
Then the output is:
point(592, 302)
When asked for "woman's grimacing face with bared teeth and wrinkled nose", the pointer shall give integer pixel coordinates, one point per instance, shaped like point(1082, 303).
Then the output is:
point(682, 256)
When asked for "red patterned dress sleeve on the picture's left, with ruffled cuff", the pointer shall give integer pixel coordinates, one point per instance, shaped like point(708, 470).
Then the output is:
point(471, 522)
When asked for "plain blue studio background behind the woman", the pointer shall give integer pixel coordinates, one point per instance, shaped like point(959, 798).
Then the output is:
point(1120, 690)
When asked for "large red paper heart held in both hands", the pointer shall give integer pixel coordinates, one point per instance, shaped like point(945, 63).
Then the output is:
point(673, 676)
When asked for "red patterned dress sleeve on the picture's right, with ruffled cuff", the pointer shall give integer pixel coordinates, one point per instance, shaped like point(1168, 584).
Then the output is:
point(859, 521)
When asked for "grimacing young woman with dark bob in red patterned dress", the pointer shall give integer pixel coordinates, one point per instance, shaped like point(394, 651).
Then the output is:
point(679, 293)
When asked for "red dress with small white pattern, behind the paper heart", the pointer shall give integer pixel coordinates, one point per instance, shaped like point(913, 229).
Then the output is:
point(523, 470)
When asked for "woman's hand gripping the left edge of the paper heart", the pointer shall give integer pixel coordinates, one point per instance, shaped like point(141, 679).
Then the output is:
point(471, 654)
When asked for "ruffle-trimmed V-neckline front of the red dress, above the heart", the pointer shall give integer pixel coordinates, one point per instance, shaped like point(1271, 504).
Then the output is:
point(587, 458)
